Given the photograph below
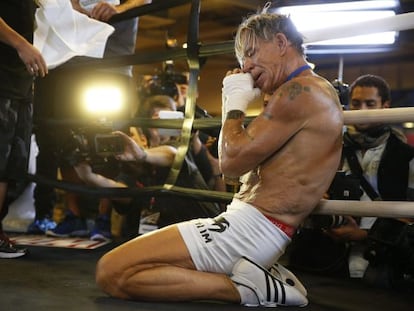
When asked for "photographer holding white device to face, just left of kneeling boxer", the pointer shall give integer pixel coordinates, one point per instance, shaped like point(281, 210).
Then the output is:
point(197, 170)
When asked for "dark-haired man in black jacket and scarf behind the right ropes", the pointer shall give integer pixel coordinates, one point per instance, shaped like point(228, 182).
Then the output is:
point(378, 156)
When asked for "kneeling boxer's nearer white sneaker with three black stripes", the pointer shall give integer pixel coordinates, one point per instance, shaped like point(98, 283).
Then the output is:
point(271, 291)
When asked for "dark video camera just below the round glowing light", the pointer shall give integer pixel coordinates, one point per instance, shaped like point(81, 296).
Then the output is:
point(90, 144)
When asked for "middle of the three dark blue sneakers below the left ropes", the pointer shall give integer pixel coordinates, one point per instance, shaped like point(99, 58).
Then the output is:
point(71, 226)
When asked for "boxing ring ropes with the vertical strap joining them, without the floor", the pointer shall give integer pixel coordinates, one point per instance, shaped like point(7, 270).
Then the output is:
point(192, 54)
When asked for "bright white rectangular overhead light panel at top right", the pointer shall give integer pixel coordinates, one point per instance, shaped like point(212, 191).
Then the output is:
point(322, 16)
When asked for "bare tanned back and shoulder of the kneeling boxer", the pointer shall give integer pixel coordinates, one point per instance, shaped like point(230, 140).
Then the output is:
point(290, 182)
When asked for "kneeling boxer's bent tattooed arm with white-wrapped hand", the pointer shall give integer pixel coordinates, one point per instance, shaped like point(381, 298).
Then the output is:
point(243, 149)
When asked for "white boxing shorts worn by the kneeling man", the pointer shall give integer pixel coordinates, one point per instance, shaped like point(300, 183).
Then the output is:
point(216, 244)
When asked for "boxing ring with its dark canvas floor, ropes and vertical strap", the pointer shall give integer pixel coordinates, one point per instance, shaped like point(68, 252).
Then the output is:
point(63, 279)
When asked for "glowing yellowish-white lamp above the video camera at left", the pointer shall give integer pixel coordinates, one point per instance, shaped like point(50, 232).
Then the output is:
point(103, 100)
